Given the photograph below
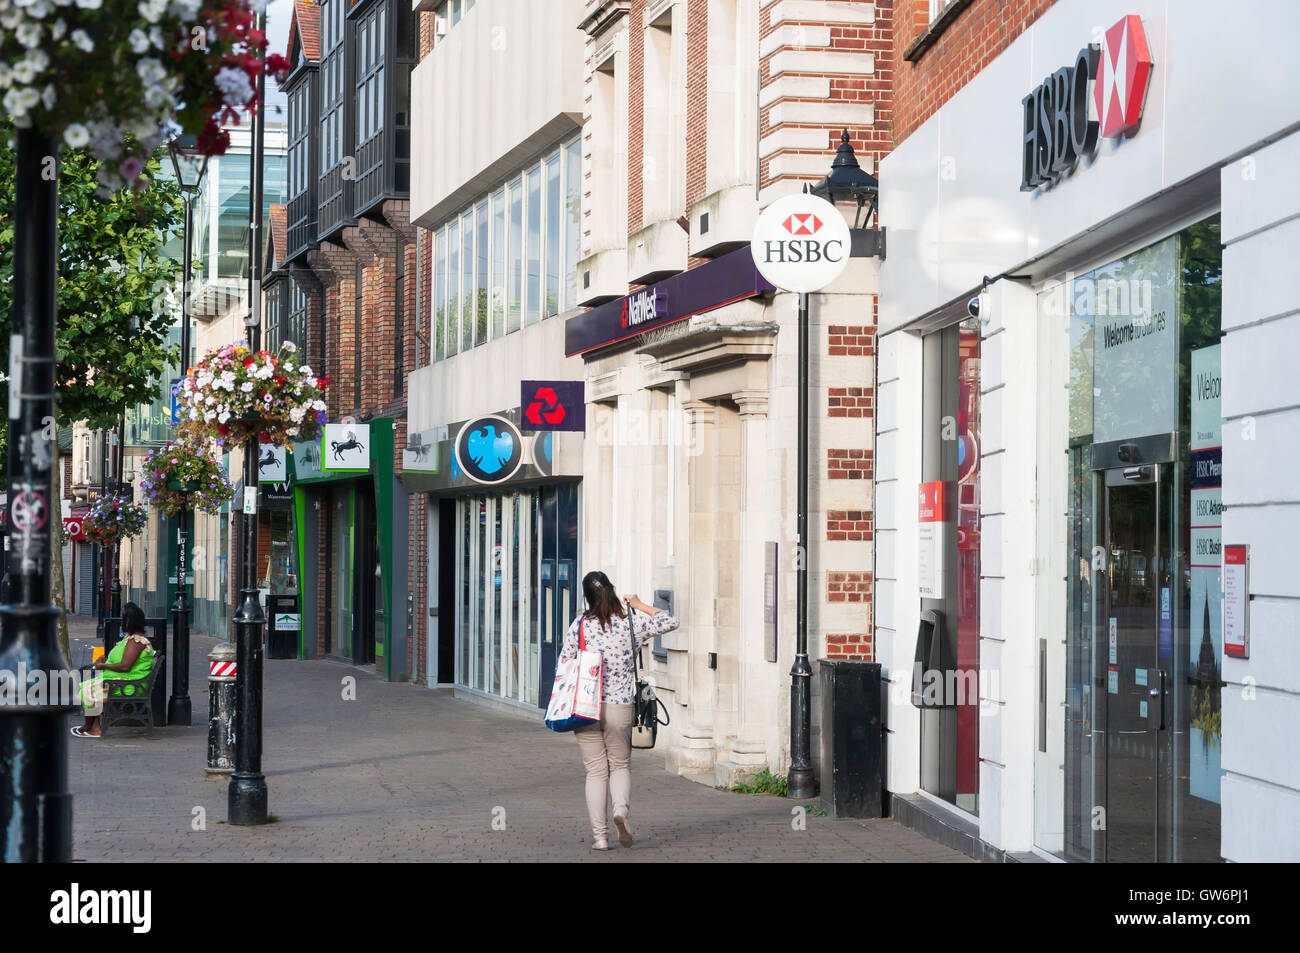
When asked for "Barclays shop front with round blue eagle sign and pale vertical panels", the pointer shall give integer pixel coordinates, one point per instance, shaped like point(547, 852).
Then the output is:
point(504, 506)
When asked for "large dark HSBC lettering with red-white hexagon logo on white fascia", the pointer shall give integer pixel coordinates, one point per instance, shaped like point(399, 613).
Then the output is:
point(1100, 96)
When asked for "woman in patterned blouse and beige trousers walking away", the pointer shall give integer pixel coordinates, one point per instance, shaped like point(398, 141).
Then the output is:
point(606, 746)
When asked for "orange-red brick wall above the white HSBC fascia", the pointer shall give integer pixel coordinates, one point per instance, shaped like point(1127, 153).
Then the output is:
point(974, 40)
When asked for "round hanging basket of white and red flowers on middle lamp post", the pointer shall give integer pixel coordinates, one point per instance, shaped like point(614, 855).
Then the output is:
point(235, 395)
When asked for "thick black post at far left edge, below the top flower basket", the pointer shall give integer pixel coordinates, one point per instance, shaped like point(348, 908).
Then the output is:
point(36, 805)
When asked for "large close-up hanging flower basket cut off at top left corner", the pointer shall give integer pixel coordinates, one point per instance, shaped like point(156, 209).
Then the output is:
point(120, 76)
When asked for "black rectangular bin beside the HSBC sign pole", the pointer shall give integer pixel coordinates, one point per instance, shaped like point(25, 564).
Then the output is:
point(852, 739)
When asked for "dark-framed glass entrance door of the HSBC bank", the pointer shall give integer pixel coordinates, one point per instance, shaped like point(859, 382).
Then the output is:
point(1133, 677)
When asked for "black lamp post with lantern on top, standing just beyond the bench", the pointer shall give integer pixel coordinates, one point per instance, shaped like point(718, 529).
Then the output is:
point(190, 167)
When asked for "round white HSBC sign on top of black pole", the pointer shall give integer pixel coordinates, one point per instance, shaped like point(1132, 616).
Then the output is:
point(801, 244)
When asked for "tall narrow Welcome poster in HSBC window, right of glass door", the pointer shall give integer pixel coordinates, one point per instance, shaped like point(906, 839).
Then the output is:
point(1206, 542)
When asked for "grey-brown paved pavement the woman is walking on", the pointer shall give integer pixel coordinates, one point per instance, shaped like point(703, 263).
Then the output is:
point(409, 774)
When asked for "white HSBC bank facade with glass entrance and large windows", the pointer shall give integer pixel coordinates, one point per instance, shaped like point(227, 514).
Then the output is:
point(1123, 411)
